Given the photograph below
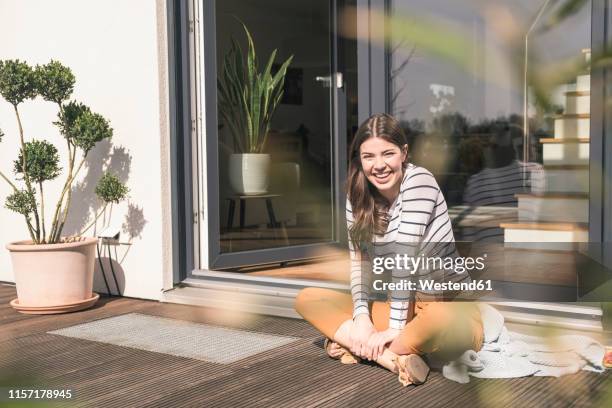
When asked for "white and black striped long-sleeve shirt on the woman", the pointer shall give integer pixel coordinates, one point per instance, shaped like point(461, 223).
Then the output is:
point(419, 225)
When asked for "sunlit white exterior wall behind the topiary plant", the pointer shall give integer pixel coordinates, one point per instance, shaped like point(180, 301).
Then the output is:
point(117, 51)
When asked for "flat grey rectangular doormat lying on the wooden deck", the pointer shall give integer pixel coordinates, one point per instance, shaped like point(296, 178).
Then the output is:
point(176, 337)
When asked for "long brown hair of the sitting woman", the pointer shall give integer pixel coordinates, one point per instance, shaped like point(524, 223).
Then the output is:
point(368, 205)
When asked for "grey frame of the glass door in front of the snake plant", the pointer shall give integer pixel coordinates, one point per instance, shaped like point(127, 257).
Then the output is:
point(211, 257)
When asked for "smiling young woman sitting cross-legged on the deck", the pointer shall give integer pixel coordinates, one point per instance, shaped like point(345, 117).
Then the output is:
point(392, 202)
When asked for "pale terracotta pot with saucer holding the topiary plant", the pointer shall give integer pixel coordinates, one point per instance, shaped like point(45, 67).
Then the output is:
point(53, 278)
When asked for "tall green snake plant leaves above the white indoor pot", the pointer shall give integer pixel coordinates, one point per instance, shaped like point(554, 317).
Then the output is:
point(247, 97)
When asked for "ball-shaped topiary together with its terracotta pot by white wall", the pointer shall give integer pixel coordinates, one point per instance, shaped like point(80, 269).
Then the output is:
point(61, 279)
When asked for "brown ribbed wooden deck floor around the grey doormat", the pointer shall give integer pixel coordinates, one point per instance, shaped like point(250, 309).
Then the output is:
point(295, 375)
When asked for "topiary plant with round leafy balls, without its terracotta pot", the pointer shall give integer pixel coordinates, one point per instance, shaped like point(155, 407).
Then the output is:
point(38, 160)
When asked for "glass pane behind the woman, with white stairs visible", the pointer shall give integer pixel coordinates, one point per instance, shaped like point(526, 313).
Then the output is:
point(502, 116)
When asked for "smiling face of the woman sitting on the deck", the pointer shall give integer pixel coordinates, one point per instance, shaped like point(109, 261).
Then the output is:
point(381, 162)
